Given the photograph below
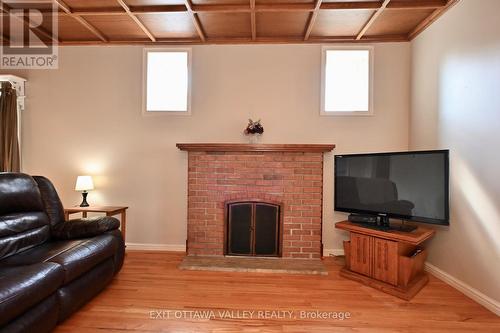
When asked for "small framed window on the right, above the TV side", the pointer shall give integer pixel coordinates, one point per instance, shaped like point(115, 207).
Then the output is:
point(347, 81)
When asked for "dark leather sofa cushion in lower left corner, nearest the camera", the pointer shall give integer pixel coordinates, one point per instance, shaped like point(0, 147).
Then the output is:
point(24, 286)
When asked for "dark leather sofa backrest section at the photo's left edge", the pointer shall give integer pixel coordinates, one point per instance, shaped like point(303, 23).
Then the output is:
point(23, 221)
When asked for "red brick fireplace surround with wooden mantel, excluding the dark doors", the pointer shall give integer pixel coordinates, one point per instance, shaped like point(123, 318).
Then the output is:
point(288, 175)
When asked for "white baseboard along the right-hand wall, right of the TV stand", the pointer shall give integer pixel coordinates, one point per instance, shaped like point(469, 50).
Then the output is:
point(474, 294)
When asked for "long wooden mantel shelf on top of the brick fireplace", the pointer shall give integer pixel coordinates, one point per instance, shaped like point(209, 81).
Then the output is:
point(242, 147)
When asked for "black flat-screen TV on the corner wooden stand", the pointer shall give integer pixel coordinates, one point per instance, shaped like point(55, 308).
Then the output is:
point(406, 185)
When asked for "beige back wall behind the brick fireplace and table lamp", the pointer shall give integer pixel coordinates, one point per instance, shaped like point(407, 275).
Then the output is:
point(86, 117)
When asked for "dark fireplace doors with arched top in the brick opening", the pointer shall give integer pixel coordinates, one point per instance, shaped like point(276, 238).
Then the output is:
point(253, 229)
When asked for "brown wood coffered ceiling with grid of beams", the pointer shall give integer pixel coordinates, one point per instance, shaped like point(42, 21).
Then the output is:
point(233, 21)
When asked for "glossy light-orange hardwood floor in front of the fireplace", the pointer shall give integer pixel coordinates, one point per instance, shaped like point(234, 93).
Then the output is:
point(150, 283)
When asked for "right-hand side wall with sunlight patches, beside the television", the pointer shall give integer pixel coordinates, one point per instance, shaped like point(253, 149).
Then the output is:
point(455, 105)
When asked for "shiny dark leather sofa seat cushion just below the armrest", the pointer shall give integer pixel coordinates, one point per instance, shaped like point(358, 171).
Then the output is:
point(75, 256)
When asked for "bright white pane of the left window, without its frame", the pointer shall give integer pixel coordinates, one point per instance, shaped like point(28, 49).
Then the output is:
point(167, 81)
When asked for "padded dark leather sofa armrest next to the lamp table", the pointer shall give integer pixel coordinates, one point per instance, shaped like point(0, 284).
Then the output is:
point(85, 227)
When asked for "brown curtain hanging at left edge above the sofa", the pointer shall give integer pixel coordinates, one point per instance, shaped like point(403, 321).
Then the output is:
point(9, 140)
